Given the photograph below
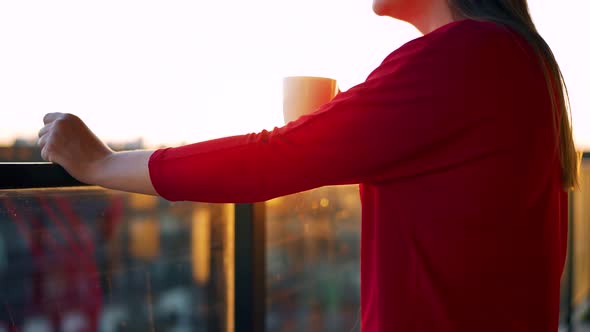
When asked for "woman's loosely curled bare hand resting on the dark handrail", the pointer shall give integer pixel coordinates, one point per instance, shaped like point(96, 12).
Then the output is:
point(67, 141)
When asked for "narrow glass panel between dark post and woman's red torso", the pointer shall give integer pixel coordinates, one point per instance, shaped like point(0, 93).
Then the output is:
point(313, 256)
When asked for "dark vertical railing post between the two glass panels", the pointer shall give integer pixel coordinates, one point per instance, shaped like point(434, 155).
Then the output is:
point(250, 267)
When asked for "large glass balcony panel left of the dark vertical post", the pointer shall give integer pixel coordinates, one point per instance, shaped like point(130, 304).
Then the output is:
point(96, 260)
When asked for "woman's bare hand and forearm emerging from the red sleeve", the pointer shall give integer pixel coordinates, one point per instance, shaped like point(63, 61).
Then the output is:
point(67, 141)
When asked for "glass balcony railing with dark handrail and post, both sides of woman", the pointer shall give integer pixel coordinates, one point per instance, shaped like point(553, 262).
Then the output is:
point(80, 258)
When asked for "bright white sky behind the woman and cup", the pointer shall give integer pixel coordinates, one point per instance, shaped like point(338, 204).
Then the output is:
point(181, 71)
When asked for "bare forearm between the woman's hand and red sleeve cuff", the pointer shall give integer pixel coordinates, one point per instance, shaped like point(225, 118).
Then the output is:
point(126, 171)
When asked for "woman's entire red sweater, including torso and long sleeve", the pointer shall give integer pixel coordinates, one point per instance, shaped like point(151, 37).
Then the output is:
point(452, 142)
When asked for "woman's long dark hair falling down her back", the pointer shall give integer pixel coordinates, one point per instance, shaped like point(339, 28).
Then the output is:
point(515, 15)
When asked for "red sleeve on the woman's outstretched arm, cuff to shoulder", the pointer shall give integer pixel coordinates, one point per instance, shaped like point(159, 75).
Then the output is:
point(405, 119)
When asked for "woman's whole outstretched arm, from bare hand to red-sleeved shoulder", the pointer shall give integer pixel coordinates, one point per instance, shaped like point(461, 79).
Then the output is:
point(429, 106)
